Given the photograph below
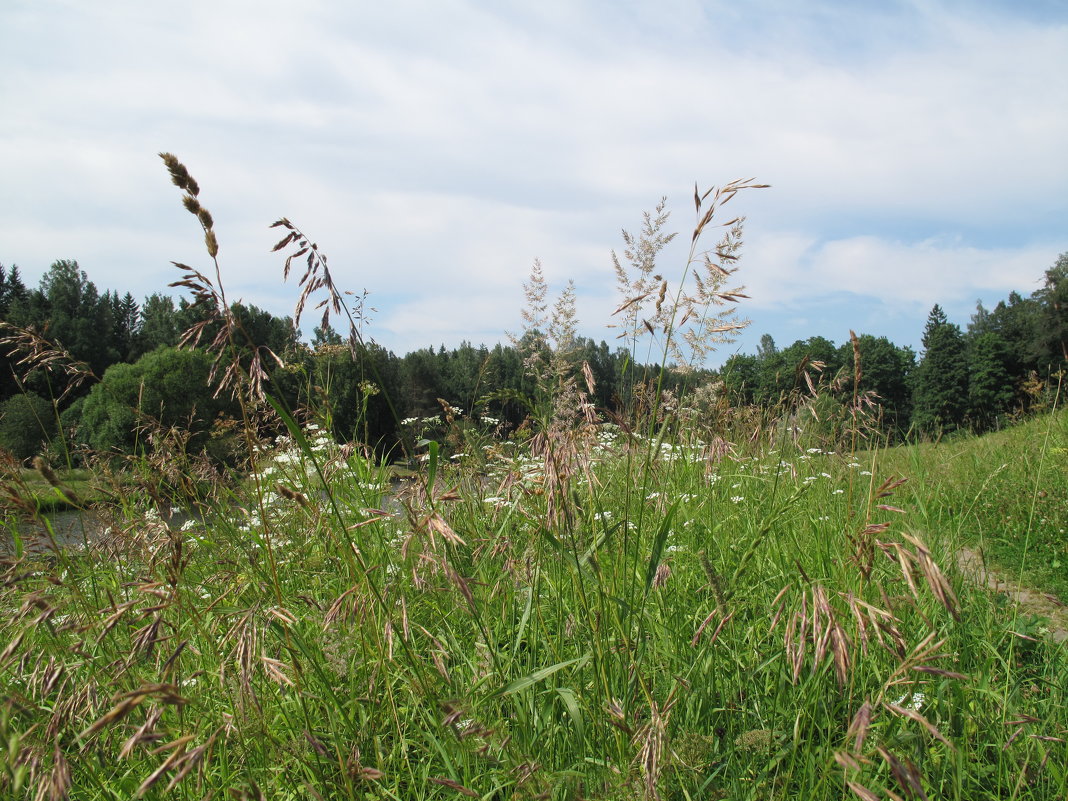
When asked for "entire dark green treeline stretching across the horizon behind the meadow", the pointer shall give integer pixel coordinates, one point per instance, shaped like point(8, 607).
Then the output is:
point(122, 381)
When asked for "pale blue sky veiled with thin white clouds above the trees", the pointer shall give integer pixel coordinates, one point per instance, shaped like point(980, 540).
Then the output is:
point(916, 151)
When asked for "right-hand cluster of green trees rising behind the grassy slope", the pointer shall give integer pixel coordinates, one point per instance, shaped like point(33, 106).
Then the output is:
point(1001, 366)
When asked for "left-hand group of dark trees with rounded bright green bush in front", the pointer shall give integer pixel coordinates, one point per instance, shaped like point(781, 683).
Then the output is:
point(101, 357)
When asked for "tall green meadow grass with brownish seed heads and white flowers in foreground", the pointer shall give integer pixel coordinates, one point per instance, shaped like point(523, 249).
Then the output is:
point(639, 610)
